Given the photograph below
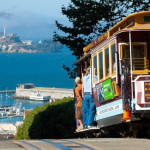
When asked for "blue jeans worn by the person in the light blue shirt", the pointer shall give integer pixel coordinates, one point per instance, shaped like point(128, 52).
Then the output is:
point(88, 110)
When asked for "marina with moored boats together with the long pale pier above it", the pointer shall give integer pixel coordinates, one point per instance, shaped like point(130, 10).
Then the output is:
point(27, 97)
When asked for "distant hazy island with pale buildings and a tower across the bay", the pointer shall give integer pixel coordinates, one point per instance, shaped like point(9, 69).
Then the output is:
point(11, 43)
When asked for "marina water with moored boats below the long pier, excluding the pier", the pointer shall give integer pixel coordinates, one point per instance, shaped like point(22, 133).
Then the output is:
point(12, 110)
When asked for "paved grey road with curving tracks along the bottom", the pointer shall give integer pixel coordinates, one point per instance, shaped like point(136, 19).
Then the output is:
point(77, 144)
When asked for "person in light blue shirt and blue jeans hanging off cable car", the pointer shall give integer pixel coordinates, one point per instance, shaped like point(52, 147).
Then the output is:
point(88, 105)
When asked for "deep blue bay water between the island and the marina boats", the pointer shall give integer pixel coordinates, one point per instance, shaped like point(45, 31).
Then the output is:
point(42, 69)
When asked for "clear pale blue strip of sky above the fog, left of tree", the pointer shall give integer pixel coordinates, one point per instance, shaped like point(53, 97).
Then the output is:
point(49, 8)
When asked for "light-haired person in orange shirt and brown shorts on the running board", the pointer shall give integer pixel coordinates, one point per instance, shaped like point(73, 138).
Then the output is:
point(78, 94)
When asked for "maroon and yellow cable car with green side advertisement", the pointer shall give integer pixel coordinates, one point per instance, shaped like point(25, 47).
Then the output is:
point(120, 59)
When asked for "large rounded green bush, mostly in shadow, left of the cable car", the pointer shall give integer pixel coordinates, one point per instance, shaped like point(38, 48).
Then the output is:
point(54, 120)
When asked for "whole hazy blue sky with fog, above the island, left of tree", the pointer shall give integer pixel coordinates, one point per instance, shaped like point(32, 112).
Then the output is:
point(31, 19)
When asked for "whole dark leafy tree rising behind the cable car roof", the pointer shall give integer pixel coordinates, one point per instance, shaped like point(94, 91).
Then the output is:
point(90, 18)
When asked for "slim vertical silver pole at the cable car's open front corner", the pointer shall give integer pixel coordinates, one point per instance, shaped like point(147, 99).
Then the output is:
point(131, 67)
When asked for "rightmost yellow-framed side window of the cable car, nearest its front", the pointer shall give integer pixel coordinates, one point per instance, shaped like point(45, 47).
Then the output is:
point(113, 50)
